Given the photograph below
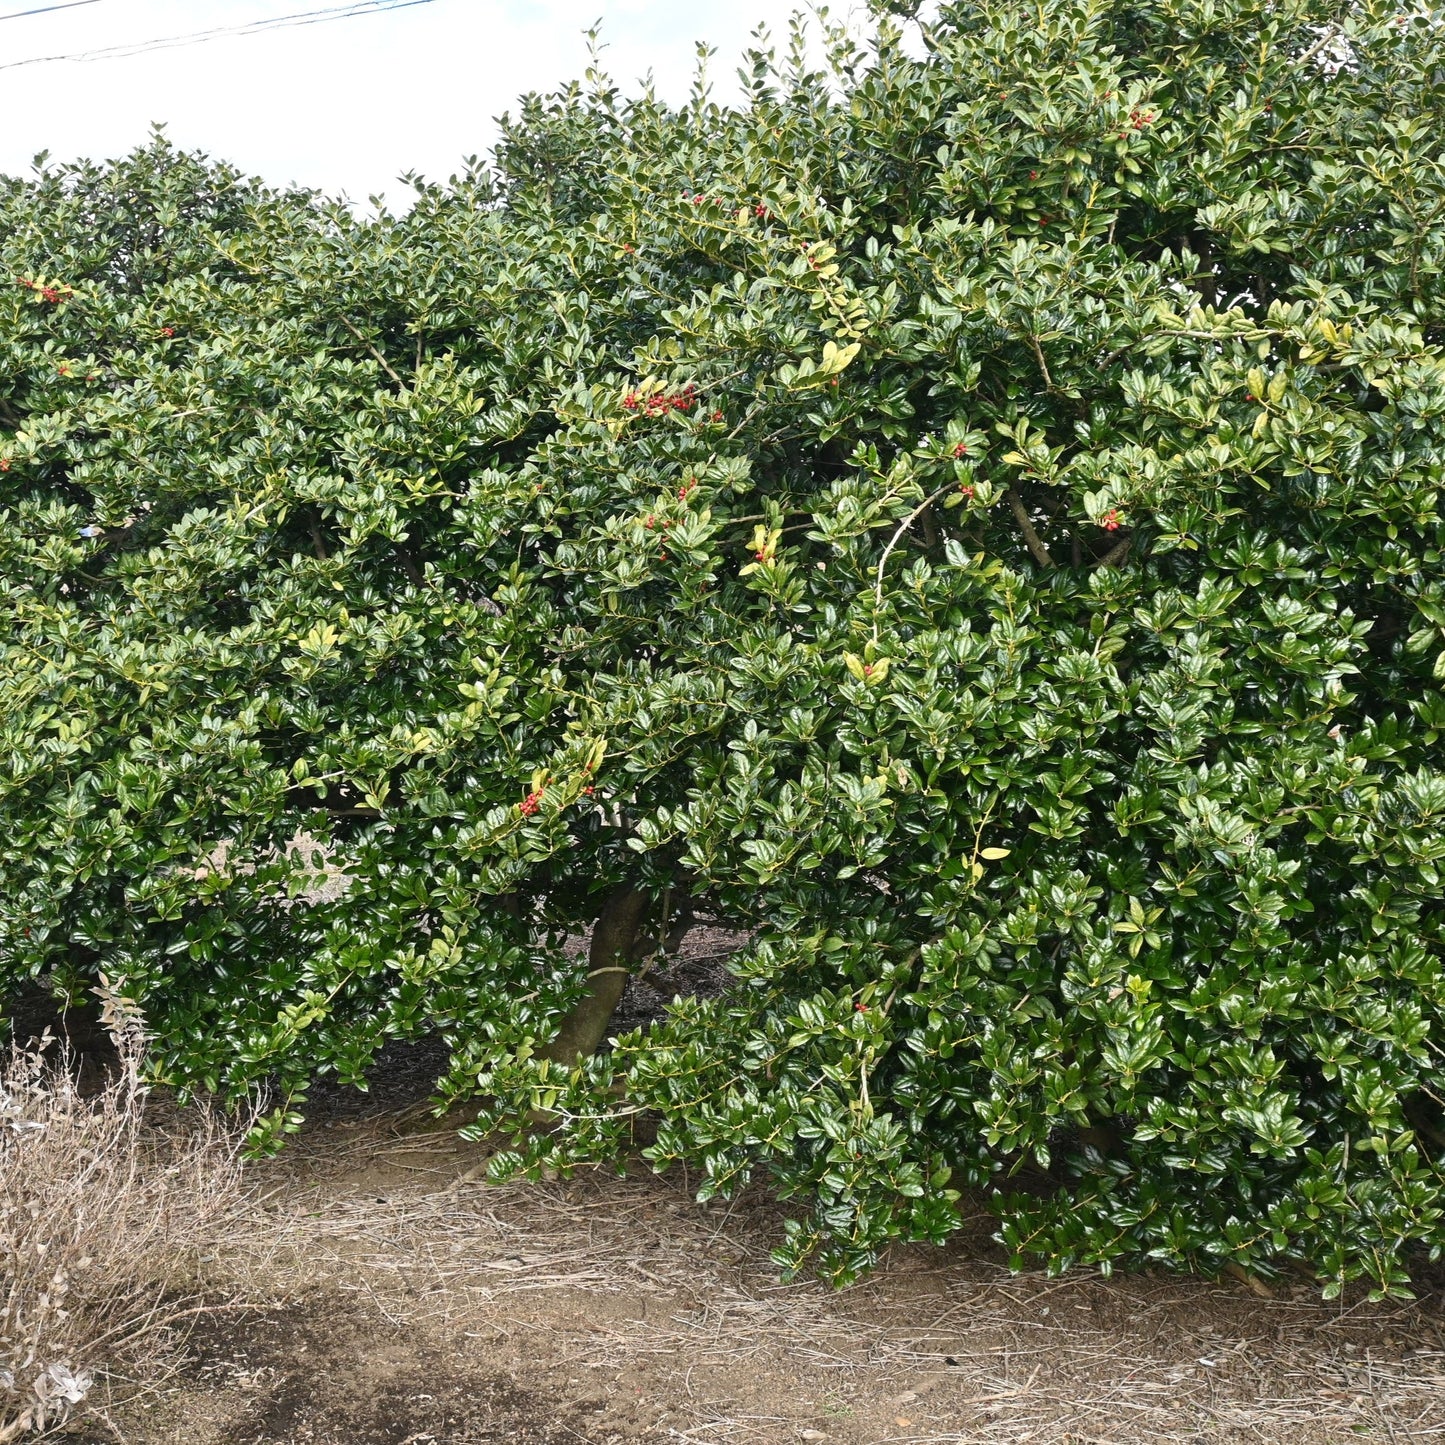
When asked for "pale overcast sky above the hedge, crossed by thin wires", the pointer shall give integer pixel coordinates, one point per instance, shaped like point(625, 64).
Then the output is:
point(343, 106)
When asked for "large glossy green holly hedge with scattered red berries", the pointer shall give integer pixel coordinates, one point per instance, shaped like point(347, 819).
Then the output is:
point(966, 518)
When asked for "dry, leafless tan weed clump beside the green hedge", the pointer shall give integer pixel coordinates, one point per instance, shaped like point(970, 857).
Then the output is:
point(103, 1216)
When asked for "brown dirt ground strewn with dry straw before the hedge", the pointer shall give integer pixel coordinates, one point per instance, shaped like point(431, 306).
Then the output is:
point(387, 1297)
